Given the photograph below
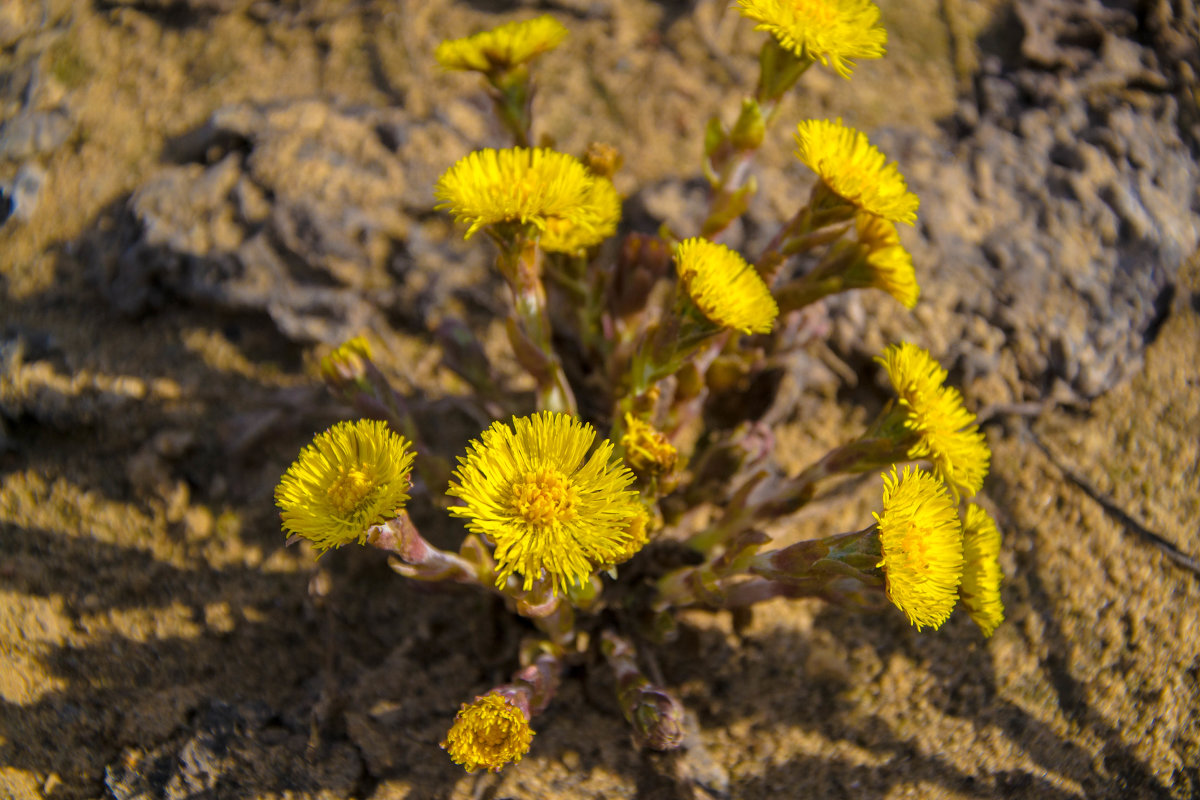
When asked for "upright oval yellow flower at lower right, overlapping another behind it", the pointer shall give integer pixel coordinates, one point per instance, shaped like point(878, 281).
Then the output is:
point(922, 543)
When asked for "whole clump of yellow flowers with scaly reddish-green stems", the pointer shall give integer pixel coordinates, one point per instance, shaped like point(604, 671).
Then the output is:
point(651, 332)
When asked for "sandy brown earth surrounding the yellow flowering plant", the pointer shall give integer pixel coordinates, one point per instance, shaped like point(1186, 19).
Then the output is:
point(159, 641)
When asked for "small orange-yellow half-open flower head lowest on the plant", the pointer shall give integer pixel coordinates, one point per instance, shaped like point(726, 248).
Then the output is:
point(489, 735)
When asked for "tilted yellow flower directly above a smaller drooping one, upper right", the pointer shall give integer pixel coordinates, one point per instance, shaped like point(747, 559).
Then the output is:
point(855, 171)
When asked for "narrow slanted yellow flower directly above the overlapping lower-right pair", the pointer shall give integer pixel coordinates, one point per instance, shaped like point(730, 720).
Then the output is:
point(945, 432)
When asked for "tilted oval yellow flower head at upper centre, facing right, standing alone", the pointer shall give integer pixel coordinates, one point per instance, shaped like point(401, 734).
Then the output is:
point(724, 287)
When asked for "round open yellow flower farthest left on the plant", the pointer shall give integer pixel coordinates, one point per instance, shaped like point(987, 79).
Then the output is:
point(351, 478)
